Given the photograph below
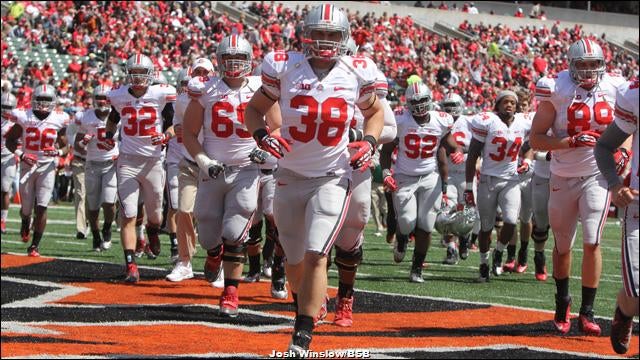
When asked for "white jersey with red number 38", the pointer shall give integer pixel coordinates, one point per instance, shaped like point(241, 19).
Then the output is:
point(316, 113)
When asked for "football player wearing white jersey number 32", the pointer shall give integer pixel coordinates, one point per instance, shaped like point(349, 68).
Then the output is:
point(146, 113)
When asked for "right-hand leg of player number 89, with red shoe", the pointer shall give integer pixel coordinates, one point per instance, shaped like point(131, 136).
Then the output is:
point(593, 208)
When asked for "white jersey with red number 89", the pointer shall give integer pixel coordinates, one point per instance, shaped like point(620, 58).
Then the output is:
point(577, 110)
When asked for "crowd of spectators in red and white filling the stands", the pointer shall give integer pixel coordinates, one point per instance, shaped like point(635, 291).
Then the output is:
point(174, 34)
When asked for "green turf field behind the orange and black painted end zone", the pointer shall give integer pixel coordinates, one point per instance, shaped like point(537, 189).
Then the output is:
point(378, 271)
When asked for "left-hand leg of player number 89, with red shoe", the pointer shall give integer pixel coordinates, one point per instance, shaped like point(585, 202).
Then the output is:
point(563, 218)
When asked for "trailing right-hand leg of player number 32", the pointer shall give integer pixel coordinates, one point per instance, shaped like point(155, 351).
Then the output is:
point(152, 191)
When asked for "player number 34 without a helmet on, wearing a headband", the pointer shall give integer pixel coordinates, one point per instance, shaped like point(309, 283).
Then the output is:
point(497, 137)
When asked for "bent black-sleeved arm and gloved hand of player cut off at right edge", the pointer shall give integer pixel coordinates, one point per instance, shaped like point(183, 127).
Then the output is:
point(612, 139)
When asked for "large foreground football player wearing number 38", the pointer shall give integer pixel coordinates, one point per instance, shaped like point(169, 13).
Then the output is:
point(317, 92)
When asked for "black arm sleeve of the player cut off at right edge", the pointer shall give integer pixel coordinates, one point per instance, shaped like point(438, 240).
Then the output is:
point(610, 140)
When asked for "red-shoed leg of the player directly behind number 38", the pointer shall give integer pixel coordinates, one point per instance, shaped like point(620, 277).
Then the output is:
point(349, 246)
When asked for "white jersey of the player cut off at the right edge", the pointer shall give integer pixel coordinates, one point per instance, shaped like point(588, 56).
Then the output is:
point(626, 117)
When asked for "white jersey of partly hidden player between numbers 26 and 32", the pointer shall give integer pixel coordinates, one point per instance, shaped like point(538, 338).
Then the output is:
point(92, 125)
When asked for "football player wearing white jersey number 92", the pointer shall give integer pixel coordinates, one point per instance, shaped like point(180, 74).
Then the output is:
point(416, 178)
